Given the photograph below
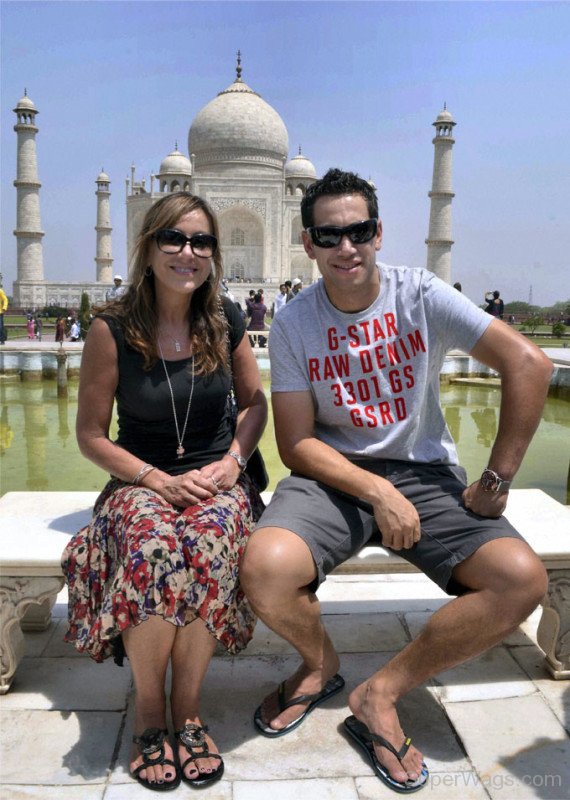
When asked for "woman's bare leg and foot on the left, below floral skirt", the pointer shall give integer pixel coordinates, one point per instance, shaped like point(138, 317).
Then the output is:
point(149, 647)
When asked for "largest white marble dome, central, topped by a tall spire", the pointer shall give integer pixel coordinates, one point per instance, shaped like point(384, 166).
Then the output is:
point(238, 125)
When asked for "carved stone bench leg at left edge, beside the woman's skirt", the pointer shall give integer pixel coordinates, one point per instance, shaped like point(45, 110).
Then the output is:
point(16, 594)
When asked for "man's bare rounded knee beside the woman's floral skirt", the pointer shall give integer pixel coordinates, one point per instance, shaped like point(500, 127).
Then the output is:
point(275, 558)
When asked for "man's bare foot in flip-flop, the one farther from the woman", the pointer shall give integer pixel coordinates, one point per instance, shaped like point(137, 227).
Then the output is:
point(379, 715)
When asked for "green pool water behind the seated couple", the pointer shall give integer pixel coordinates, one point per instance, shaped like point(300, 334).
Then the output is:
point(38, 450)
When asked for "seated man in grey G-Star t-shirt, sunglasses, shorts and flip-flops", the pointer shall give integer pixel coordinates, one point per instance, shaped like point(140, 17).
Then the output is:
point(355, 384)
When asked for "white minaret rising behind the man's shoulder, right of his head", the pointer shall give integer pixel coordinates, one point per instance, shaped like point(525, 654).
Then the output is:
point(439, 239)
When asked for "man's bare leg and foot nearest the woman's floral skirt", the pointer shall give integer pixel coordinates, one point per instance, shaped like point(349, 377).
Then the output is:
point(276, 570)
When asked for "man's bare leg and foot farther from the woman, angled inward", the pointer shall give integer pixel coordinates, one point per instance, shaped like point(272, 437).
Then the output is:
point(506, 582)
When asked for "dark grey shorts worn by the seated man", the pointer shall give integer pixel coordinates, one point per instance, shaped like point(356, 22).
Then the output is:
point(335, 525)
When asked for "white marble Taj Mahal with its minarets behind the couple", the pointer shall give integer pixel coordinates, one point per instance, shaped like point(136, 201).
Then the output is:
point(239, 162)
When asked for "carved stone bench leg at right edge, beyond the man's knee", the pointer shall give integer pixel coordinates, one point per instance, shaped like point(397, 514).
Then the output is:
point(554, 628)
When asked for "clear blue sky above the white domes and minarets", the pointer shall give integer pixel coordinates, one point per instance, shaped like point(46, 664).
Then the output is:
point(358, 85)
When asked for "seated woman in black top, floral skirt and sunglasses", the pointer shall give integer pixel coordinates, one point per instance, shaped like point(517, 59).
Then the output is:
point(156, 569)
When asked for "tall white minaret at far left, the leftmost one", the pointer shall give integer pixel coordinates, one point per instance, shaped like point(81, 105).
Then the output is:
point(28, 224)
